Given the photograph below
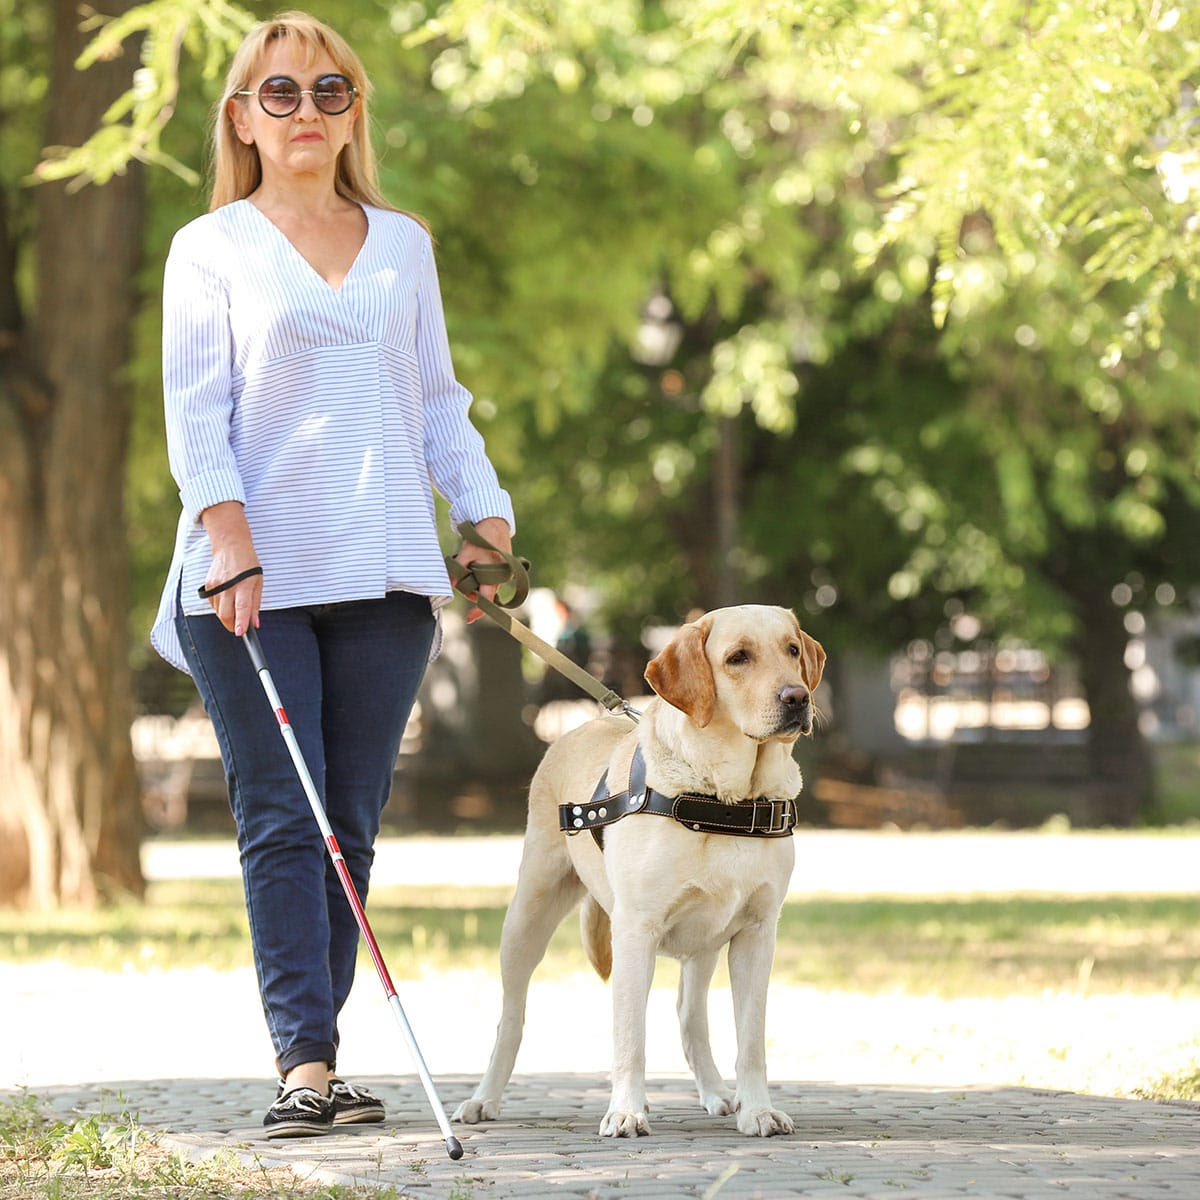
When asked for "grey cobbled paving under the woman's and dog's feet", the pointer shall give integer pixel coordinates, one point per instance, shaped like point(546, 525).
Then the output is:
point(851, 1142)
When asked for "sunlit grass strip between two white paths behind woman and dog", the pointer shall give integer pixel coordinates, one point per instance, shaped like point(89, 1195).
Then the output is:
point(970, 947)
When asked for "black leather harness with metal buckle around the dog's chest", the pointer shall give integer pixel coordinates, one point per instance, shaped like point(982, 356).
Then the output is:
point(704, 814)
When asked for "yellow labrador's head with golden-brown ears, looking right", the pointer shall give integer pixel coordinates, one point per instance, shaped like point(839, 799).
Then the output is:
point(753, 664)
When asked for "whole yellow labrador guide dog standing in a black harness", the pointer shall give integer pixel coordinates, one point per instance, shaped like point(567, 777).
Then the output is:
point(734, 695)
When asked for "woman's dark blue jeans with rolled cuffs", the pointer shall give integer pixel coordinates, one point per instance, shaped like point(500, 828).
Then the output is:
point(347, 675)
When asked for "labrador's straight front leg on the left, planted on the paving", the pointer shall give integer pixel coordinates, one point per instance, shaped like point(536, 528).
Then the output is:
point(634, 950)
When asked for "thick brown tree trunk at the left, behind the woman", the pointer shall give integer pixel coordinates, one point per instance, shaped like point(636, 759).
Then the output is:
point(70, 807)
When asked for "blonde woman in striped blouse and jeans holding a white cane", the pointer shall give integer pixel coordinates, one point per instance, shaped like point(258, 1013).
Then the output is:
point(310, 401)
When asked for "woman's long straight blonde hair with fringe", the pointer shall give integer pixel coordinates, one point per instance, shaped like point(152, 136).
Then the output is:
point(237, 170)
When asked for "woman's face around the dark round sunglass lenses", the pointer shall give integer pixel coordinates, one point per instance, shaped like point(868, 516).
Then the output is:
point(307, 142)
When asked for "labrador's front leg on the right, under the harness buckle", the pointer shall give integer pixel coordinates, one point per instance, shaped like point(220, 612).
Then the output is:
point(752, 953)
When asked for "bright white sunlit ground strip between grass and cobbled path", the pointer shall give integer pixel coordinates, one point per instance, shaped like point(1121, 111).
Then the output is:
point(85, 1025)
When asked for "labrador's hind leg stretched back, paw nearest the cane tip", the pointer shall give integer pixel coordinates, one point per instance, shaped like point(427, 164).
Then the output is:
point(536, 913)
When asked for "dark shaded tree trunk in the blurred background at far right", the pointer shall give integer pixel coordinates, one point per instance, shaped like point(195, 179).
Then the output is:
point(1121, 761)
